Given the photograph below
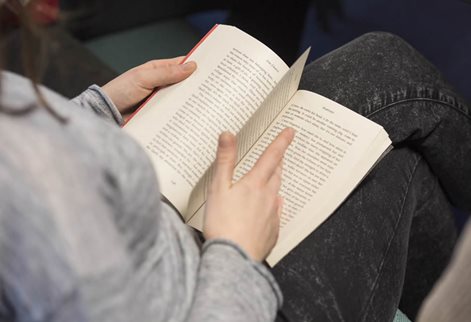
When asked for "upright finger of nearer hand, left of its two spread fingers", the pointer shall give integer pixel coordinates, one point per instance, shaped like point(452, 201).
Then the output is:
point(225, 160)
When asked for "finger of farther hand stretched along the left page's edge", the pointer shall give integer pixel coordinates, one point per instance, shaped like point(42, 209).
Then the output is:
point(164, 75)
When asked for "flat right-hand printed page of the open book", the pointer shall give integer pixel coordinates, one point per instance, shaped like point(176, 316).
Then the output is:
point(332, 151)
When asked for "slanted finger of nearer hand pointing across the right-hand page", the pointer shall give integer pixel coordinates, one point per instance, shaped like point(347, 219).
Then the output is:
point(267, 163)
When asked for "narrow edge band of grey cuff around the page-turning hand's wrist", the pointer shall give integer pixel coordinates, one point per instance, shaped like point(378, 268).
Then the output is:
point(224, 245)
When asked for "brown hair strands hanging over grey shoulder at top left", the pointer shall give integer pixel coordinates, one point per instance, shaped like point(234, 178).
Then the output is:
point(32, 50)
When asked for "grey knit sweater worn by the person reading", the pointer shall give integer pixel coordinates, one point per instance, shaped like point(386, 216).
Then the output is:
point(85, 237)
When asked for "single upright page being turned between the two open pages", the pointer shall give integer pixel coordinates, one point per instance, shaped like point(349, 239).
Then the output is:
point(255, 126)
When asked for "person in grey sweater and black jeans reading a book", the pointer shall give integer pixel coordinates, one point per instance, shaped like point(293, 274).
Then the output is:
point(84, 235)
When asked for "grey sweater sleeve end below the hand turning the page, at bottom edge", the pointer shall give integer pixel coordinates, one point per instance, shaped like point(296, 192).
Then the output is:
point(232, 287)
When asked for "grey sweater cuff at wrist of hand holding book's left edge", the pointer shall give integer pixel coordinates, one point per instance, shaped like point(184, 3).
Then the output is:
point(96, 100)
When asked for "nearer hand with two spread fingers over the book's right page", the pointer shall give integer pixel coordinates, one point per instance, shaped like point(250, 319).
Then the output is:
point(248, 211)
